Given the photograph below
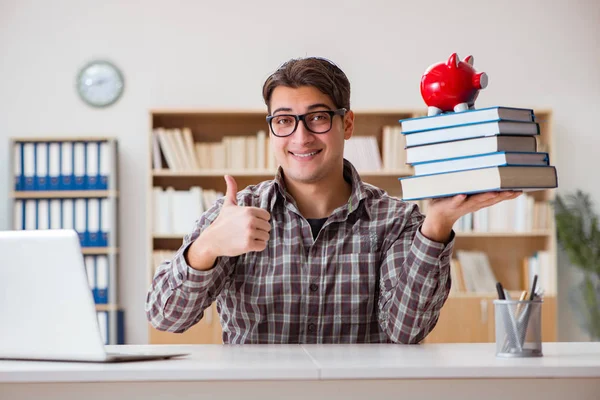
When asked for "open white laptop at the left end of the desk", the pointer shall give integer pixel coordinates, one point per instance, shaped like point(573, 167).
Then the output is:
point(47, 310)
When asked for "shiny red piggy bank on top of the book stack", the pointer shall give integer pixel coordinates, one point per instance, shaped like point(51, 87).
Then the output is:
point(451, 86)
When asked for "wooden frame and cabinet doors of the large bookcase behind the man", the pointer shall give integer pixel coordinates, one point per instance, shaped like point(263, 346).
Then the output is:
point(506, 249)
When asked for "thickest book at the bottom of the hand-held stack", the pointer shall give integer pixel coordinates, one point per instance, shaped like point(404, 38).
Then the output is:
point(478, 180)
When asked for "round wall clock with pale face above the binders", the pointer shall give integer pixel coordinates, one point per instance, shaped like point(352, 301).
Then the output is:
point(100, 83)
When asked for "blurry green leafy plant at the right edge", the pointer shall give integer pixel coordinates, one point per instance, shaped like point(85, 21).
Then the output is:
point(578, 234)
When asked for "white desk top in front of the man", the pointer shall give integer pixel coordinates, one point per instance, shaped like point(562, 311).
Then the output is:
point(445, 371)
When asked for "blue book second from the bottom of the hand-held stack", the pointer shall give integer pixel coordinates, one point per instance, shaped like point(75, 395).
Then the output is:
point(497, 159)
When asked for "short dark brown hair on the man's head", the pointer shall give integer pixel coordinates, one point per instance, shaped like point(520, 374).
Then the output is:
point(312, 71)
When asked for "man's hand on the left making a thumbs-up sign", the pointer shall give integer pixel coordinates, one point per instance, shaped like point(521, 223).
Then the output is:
point(238, 230)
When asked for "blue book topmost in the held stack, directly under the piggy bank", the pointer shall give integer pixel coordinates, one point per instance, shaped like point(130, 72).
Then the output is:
point(467, 117)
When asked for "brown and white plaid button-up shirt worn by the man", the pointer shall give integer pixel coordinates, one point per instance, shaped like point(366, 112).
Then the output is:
point(369, 276)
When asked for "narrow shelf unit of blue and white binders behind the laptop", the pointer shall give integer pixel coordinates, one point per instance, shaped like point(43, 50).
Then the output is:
point(71, 183)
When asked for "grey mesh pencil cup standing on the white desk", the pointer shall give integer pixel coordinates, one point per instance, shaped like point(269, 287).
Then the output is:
point(518, 328)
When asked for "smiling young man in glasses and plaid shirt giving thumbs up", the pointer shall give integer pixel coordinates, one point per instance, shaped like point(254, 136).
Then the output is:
point(315, 255)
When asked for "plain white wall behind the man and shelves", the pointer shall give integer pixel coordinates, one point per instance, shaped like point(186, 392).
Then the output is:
point(217, 54)
